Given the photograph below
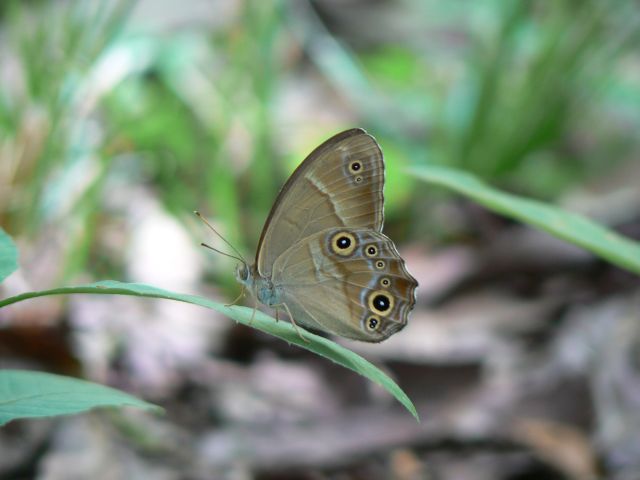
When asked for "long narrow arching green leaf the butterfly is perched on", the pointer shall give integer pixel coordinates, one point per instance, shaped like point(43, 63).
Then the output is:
point(265, 323)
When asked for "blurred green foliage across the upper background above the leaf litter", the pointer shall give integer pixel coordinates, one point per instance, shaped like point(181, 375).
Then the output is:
point(534, 96)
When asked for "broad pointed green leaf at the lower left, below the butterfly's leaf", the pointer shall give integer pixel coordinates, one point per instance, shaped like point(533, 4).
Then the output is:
point(27, 394)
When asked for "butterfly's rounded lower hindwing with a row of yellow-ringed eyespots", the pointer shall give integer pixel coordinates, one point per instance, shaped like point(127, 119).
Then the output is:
point(349, 282)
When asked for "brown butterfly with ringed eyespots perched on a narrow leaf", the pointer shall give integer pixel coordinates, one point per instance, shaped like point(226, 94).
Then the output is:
point(322, 255)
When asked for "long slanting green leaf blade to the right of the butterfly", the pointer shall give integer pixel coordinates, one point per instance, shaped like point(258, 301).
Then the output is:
point(574, 228)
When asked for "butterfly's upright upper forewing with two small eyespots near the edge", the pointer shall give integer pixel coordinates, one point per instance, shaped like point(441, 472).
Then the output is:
point(339, 184)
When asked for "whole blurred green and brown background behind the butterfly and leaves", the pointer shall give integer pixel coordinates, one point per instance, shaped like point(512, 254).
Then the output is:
point(119, 118)
